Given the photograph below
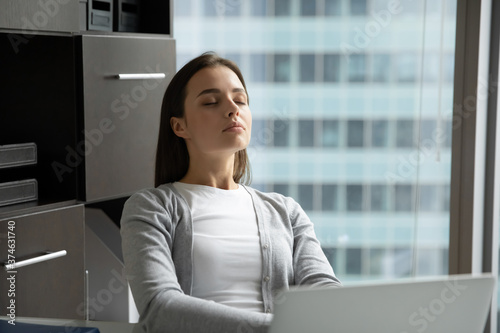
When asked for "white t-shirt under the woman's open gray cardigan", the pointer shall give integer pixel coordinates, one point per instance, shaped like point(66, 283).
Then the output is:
point(227, 259)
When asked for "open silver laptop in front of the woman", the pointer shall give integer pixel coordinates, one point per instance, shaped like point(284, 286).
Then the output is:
point(455, 303)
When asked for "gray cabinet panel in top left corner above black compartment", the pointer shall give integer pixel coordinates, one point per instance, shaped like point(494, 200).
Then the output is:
point(46, 15)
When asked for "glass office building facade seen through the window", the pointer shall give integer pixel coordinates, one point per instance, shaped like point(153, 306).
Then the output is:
point(352, 105)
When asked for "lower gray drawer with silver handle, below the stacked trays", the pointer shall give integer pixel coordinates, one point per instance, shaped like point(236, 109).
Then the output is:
point(54, 288)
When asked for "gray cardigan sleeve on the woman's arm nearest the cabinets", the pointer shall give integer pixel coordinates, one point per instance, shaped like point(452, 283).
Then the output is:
point(148, 228)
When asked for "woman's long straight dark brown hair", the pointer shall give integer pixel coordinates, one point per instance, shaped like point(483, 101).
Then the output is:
point(172, 157)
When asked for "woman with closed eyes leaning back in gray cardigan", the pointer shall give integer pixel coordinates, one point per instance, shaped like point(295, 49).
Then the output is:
point(203, 252)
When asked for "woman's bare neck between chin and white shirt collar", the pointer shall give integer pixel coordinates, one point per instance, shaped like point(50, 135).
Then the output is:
point(214, 172)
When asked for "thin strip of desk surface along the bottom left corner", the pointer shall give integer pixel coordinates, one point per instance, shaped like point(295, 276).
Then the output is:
point(103, 326)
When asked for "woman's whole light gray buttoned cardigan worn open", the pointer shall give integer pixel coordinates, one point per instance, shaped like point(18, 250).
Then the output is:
point(157, 239)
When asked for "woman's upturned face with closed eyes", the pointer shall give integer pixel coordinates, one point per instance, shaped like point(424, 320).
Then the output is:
point(217, 119)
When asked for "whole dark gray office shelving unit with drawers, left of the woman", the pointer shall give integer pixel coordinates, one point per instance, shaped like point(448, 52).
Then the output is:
point(95, 135)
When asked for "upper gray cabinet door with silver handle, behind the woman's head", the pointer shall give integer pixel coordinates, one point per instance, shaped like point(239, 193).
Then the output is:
point(122, 111)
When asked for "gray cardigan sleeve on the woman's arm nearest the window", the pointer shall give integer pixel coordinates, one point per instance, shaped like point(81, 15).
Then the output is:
point(311, 267)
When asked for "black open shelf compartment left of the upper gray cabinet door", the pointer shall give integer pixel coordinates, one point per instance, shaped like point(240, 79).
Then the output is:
point(39, 106)
